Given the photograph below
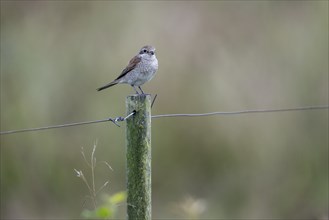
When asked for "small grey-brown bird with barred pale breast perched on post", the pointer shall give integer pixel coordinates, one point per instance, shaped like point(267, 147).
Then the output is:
point(140, 69)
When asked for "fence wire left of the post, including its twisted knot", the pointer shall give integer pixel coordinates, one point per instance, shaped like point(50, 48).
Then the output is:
point(113, 120)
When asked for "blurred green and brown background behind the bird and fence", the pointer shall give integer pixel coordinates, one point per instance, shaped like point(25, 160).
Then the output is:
point(213, 56)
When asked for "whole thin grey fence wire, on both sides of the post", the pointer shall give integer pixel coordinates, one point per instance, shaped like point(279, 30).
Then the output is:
point(120, 119)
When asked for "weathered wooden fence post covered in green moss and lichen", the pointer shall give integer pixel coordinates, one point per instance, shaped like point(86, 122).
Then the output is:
point(138, 152)
